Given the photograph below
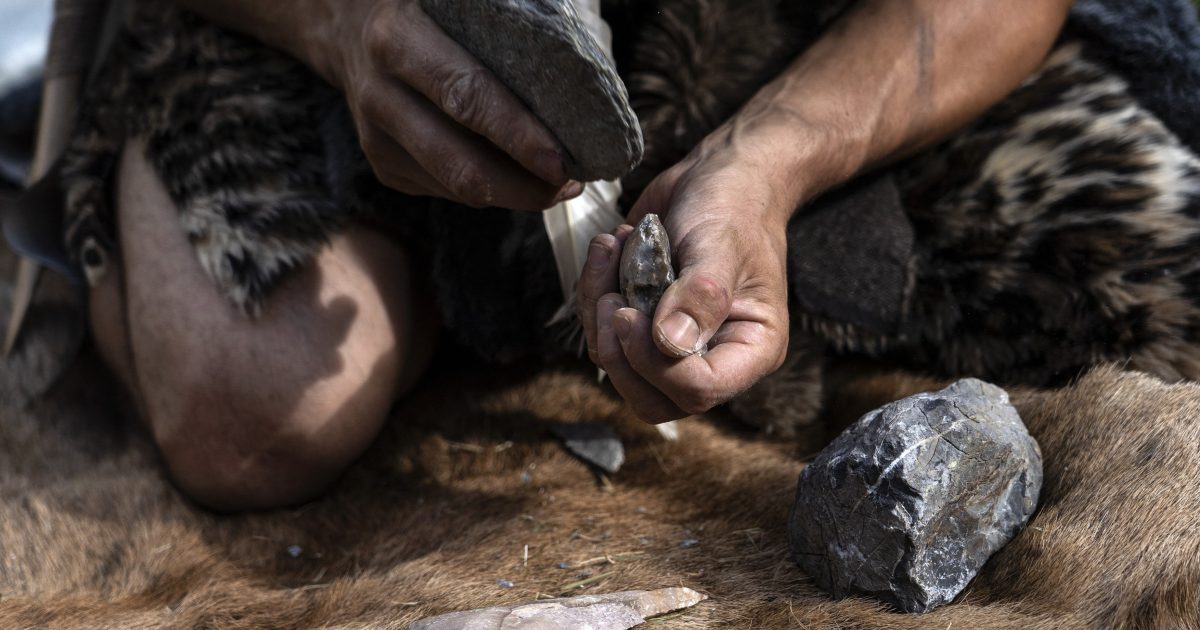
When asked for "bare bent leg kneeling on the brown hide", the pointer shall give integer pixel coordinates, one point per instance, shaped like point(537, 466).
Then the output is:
point(255, 412)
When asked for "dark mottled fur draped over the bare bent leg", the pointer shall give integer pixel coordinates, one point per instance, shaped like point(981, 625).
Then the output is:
point(232, 130)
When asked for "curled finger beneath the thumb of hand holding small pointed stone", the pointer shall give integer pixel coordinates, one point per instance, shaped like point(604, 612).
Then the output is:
point(741, 357)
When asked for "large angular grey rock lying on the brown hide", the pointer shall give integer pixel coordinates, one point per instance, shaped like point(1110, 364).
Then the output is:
point(909, 503)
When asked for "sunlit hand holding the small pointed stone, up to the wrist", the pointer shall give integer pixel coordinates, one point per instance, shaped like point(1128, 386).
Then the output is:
point(727, 226)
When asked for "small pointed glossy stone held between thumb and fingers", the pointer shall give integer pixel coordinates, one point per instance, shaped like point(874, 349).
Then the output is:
point(646, 269)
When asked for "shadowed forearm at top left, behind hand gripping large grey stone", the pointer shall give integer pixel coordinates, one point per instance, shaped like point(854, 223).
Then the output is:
point(301, 28)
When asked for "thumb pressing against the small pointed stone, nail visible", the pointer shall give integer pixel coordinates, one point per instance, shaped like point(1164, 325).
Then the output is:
point(692, 310)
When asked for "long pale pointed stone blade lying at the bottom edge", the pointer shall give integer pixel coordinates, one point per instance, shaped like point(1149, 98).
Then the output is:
point(615, 611)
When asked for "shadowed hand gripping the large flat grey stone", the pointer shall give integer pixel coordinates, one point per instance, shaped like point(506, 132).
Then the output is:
point(431, 119)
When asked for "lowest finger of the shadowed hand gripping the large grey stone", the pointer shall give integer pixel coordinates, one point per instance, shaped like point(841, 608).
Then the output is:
point(464, 164)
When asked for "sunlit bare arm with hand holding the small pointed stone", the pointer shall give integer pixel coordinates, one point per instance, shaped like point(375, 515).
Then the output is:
point(889, 79)
